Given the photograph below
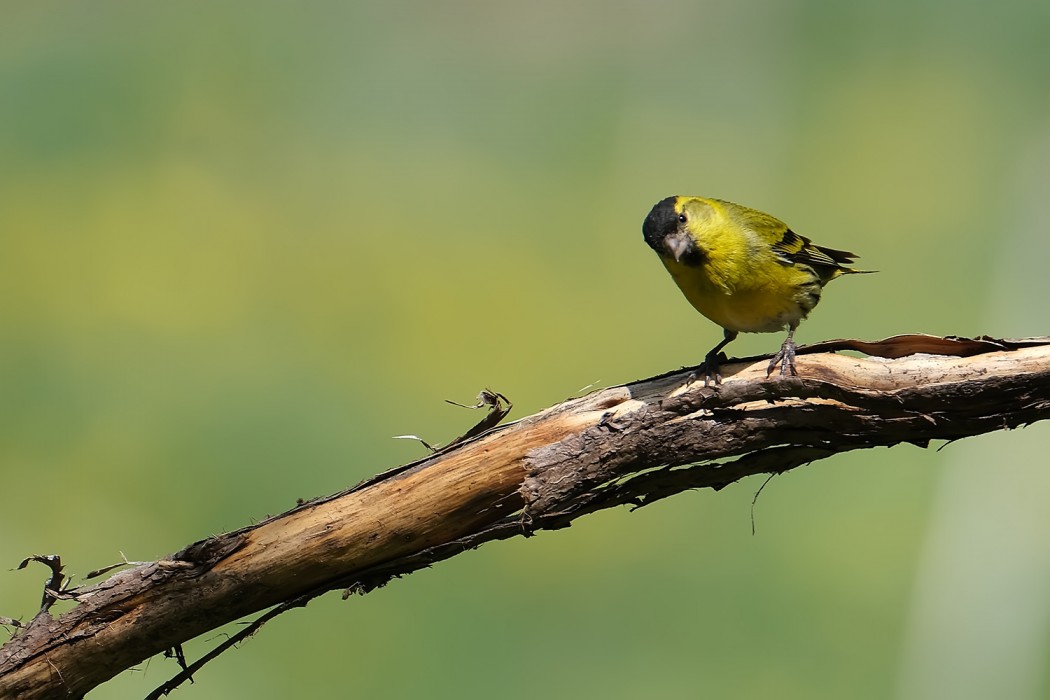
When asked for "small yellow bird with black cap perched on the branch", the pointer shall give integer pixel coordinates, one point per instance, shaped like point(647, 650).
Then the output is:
point(747, 271)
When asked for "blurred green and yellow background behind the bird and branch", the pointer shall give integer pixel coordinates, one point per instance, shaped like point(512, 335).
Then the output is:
point(244, 245)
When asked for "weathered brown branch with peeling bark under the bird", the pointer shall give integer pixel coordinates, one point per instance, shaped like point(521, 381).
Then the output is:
point(631, 444)
